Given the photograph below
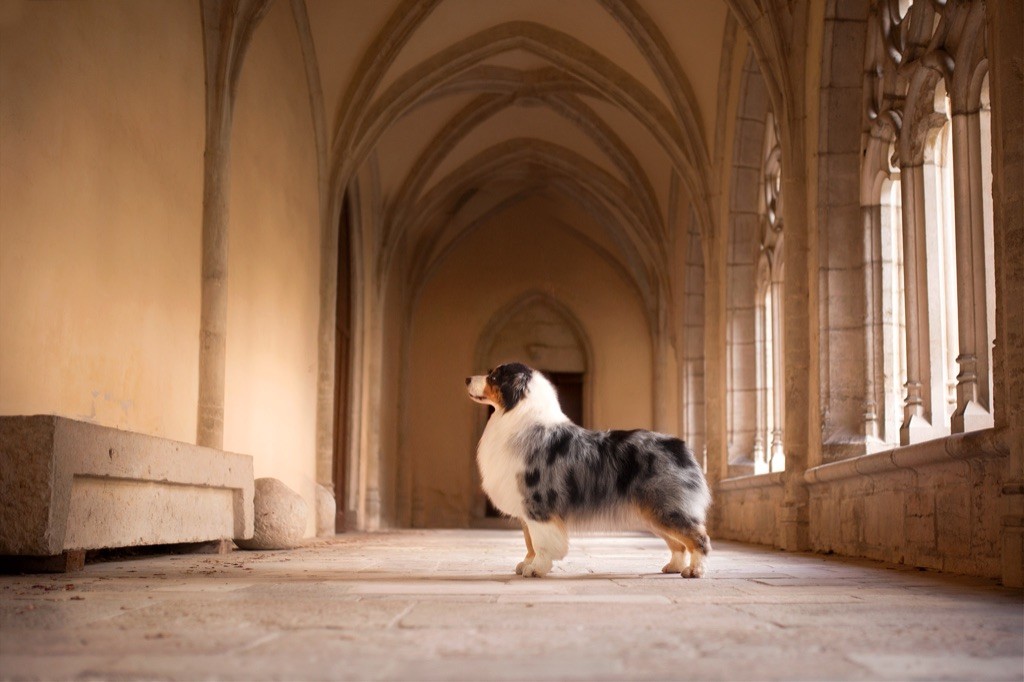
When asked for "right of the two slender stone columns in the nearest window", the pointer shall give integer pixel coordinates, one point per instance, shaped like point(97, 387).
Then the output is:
point(972, 382)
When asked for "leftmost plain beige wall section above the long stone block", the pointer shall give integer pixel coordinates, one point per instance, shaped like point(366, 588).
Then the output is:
point(102, 108)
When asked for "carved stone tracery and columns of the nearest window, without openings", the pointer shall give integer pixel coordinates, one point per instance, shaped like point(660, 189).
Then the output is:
point(916, 50)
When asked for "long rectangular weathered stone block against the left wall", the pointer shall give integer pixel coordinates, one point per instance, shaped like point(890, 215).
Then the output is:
point(72, 486)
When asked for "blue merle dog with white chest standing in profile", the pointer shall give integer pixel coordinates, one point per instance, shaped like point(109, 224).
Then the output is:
point(540, 467)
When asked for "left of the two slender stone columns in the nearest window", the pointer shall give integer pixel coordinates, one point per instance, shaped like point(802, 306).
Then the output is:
point(918, 406)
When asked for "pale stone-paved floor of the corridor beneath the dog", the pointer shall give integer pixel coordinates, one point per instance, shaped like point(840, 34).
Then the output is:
point(425, 606)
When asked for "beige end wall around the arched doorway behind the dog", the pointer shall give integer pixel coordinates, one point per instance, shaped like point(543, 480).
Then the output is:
point(516, 253)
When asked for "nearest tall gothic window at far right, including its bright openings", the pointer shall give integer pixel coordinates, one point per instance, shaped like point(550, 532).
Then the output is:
point(926, 155)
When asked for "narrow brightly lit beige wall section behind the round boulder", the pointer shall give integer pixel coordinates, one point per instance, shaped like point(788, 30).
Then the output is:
point(274, 264)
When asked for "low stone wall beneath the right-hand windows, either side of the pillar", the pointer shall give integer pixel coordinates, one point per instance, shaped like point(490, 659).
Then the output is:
point(938, 505)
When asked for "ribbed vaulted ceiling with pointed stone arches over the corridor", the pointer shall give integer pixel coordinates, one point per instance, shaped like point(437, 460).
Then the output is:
point(598, 112)
